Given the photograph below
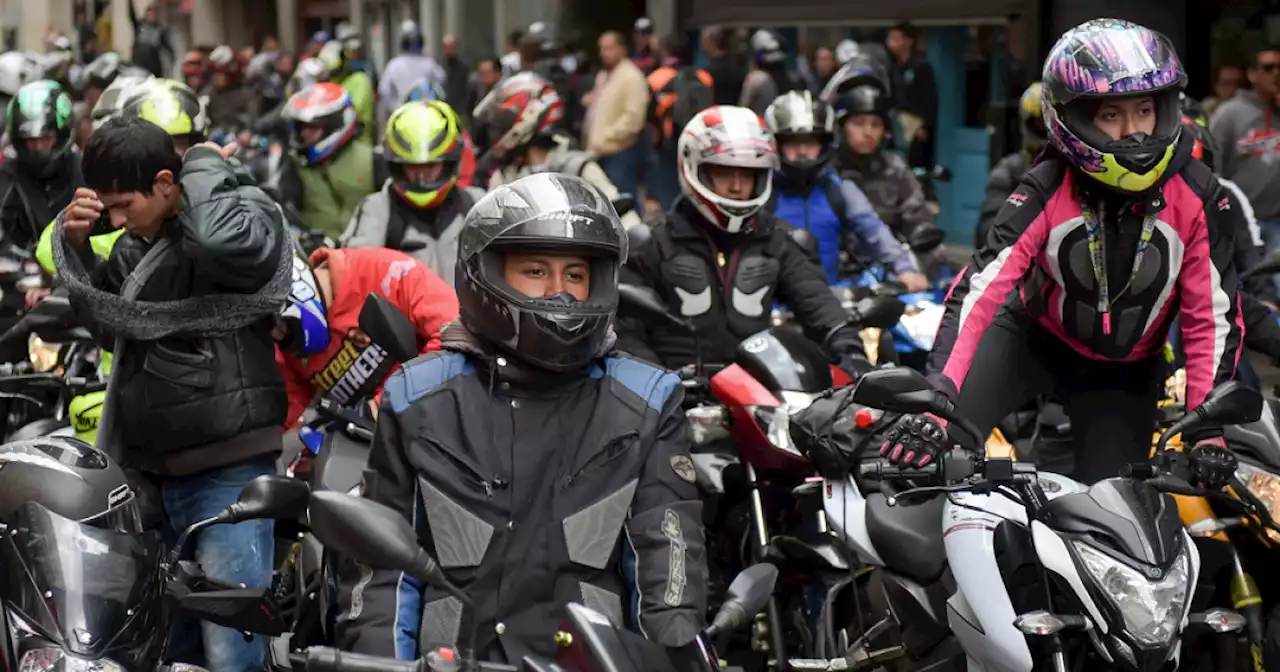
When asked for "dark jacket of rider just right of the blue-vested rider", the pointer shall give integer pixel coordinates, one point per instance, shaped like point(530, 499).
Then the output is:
point(892, 188)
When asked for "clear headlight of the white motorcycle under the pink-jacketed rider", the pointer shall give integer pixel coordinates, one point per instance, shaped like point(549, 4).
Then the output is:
point(1153, 610)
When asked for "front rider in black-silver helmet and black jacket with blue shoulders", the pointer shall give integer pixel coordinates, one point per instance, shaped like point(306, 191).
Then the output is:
point(555, 467)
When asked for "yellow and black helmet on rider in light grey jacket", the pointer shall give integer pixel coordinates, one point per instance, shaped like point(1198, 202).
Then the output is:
point(420, 134)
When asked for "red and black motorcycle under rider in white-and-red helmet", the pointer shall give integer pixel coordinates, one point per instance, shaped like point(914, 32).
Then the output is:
point(755, 477)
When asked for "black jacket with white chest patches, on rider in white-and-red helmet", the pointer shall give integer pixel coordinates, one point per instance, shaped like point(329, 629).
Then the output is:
point(728, 286)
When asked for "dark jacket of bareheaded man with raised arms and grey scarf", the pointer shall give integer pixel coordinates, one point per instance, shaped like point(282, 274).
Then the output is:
point(199, 397)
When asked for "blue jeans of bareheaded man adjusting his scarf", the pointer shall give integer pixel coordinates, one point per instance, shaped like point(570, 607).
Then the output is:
point(243, 554)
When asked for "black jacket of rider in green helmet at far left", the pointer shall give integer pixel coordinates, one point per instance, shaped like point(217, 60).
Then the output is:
point(30, 204)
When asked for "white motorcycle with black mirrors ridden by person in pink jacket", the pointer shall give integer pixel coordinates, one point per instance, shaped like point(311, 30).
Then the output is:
point(1014, 570)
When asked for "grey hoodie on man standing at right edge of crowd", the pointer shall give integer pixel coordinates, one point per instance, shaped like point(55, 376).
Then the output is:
point(1249, 138)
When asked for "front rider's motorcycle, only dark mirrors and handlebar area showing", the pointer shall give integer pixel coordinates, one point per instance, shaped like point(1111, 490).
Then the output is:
point(377, 536)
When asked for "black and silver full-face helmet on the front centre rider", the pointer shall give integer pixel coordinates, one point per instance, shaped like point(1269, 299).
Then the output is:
point(548, 213)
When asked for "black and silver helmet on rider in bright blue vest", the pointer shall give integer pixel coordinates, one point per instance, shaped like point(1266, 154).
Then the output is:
point(799, 113)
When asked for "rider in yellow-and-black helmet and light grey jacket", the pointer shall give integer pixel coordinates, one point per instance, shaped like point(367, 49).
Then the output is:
point(420, 209)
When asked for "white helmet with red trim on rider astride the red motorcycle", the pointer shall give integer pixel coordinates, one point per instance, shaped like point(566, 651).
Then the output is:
point(730, 136)
